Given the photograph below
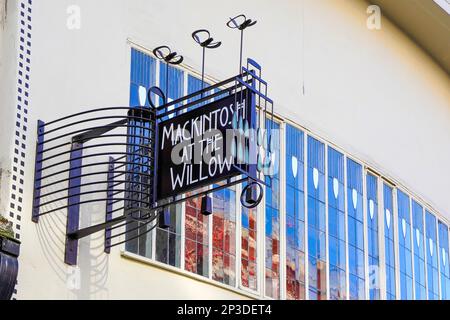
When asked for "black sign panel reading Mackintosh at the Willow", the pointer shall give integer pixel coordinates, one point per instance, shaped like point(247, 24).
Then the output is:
point(195, 148)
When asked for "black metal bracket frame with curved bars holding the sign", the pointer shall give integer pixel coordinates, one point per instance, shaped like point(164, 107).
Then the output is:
point(83, 129)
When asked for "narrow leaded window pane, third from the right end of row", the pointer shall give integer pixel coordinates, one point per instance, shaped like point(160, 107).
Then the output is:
point(419, 252)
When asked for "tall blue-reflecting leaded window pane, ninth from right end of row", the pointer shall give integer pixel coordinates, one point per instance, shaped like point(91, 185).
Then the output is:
point(316, 220)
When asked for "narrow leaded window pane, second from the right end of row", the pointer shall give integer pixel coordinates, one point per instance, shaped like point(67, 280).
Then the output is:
point(432, 257)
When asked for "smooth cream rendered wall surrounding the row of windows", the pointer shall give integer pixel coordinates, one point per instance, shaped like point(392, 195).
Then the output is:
point(374, 94)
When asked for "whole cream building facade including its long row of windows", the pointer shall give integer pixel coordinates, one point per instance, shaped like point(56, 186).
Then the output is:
point(359, 208)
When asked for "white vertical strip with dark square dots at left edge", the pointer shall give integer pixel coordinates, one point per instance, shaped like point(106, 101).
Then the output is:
point(21, 125)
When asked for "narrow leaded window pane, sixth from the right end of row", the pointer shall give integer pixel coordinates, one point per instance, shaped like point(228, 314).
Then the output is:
point(372, 237)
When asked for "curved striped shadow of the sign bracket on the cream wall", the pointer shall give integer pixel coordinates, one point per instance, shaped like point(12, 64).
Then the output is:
point(89, 278)
